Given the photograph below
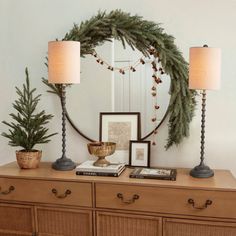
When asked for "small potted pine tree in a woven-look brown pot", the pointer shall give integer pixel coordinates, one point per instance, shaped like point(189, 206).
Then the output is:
point(28, 126)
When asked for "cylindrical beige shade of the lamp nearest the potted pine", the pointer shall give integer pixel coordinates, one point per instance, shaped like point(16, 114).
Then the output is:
point(64, 62)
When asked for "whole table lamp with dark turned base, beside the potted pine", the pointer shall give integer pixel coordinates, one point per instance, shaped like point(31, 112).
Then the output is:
point(63, 68)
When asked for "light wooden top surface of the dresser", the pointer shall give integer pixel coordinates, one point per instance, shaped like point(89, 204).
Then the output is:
point(222, 180)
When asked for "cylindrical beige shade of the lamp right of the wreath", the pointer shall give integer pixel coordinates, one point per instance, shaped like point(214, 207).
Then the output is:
point(204, 68)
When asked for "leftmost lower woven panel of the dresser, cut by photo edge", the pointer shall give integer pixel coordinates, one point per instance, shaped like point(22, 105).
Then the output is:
point(16, 220)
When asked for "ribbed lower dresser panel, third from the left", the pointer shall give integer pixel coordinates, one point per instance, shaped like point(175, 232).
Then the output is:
point(116, 224)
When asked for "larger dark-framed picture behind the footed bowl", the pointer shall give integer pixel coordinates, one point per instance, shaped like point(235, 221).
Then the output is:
point(119, 127)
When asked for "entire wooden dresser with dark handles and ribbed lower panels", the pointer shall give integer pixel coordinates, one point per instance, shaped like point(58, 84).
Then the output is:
point(45, 202)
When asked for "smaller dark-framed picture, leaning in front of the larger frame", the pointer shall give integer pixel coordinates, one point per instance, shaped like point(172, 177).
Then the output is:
point(139, 153)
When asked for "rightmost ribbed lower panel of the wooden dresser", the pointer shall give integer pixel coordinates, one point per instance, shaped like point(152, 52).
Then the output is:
point(175, 227)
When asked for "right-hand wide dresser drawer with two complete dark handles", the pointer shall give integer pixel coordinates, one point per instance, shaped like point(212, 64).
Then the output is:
point(166, 200)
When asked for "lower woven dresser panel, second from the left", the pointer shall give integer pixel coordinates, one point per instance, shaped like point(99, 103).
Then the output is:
point(64, 222)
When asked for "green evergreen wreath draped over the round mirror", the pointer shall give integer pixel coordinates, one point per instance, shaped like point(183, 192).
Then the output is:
point(144, 36)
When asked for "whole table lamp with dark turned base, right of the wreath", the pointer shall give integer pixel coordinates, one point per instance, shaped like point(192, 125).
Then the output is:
point(204, 74)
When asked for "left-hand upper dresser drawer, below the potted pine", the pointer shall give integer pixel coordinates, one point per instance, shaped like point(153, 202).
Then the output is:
point(55, 192)
